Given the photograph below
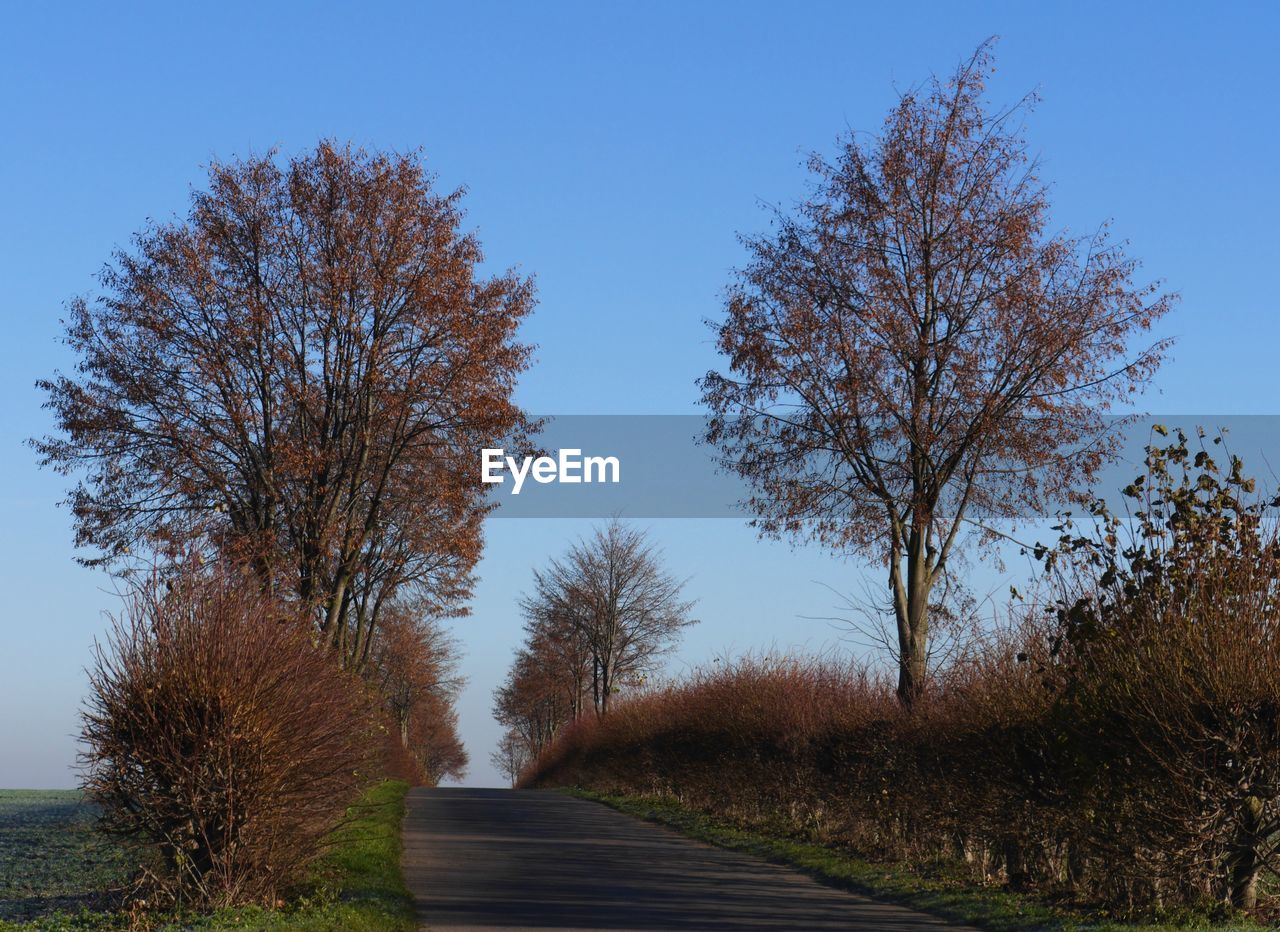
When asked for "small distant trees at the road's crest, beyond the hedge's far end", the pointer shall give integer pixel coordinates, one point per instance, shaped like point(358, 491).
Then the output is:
point(598, 620)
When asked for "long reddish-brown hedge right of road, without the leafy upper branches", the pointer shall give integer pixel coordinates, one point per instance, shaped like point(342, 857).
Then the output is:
point(1155, 780)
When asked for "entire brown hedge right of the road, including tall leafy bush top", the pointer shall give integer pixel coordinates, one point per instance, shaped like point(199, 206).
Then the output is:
point(1122, 746)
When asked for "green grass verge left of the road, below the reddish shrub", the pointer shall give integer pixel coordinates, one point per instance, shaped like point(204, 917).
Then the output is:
point(356, 887)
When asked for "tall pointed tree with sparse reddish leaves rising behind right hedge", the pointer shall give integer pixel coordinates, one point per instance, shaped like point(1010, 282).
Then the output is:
point(915, 350)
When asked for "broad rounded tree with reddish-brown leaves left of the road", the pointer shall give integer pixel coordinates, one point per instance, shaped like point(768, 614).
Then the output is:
point(299, 374)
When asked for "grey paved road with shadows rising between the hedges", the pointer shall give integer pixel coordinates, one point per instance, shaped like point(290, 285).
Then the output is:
point(501, 860)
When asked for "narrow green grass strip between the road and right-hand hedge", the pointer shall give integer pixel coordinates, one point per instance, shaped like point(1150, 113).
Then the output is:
point(940, 893)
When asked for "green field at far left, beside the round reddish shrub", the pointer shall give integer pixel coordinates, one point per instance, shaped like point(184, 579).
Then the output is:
point(51, 860)
